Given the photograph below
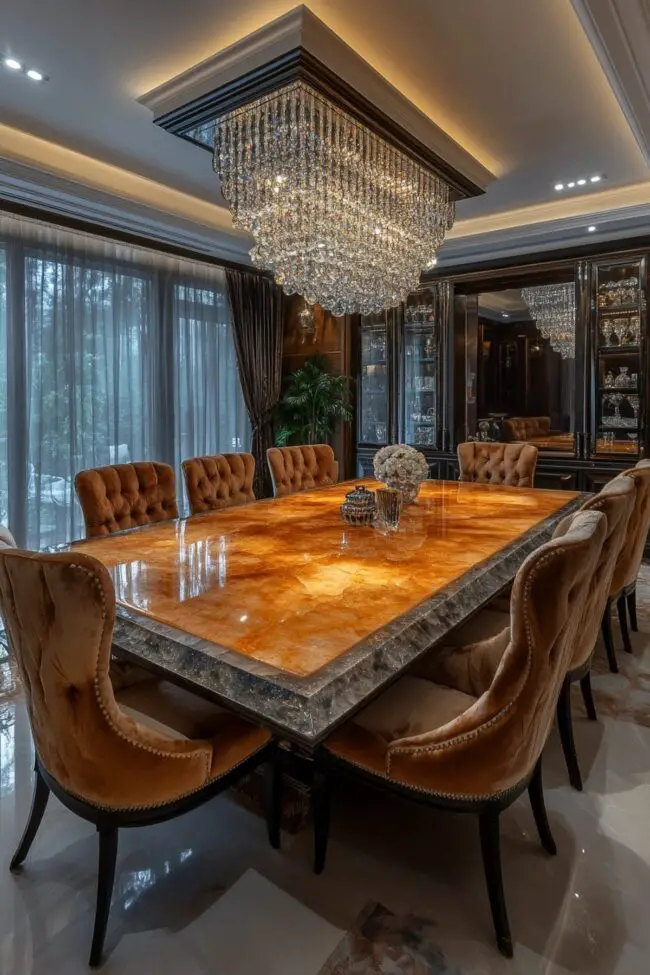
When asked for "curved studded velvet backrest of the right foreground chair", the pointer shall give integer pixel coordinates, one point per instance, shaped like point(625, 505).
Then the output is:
point(494, 745)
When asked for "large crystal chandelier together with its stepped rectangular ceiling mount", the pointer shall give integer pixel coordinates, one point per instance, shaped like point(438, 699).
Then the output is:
point(352, 177)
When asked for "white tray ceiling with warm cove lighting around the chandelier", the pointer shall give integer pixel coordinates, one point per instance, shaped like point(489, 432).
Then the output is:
point(516, 82)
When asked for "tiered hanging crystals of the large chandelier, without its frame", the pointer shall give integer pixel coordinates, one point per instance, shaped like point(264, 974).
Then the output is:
point(338, 214)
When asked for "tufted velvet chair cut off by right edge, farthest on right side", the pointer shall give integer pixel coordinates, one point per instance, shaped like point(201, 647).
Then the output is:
point(623, 589)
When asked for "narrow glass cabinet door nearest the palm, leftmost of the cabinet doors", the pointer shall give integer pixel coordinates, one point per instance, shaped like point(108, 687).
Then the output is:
point(373, 381)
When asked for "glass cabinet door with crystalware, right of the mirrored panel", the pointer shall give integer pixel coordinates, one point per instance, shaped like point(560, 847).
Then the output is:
point(617, 408)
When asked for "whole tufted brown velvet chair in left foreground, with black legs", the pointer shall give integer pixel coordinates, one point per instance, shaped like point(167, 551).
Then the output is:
point(118, 758)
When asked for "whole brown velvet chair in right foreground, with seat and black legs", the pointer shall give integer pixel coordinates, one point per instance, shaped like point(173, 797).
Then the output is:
point(465, 730)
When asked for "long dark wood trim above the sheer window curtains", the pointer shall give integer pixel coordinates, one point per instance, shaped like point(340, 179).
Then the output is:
point(120, 236)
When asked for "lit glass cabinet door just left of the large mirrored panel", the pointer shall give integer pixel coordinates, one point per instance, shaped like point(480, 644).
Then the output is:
point(421, 373)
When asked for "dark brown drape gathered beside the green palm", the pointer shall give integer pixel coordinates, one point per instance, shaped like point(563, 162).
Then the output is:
point(258, 314)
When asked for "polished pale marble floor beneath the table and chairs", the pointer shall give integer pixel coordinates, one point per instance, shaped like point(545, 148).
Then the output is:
point(203, 893)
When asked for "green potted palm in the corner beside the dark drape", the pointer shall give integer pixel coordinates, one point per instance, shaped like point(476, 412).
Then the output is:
point(314, 401)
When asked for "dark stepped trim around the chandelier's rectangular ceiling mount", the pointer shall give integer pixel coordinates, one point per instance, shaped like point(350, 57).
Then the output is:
point(300, 65)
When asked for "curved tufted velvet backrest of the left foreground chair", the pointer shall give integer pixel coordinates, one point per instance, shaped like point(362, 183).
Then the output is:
point(59, 610)
